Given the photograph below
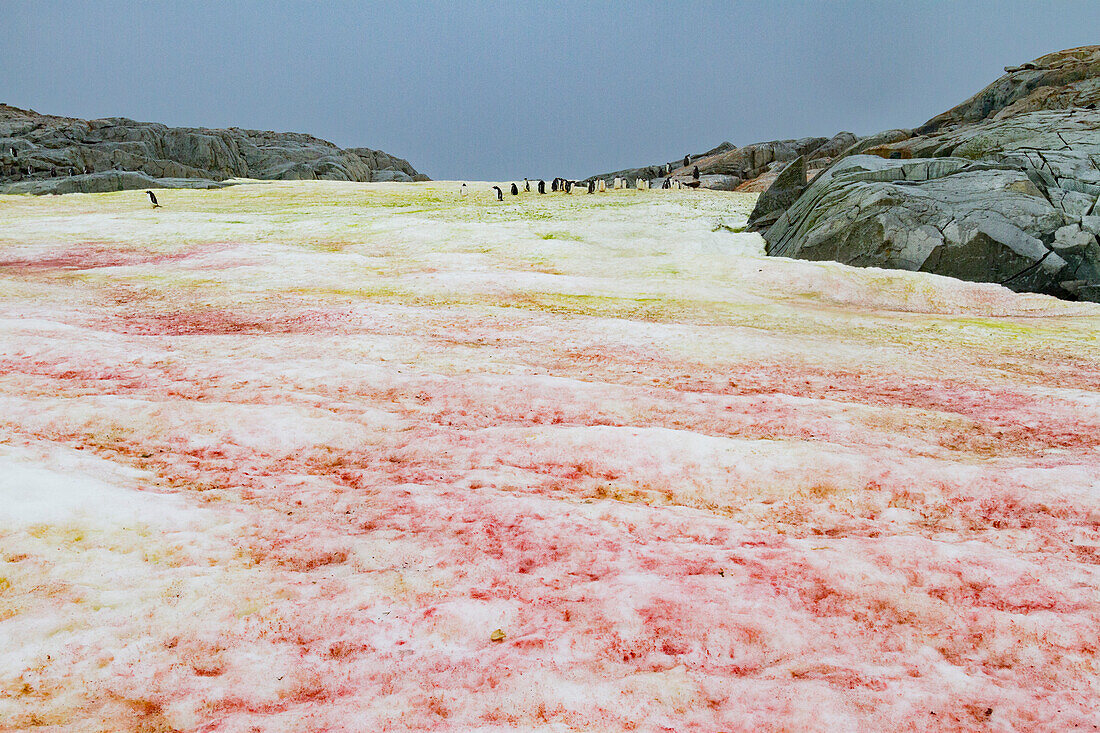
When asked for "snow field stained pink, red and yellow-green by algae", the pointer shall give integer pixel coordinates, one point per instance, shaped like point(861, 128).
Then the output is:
point(284, 457)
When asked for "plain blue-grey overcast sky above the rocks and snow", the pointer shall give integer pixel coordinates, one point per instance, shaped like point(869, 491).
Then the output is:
point(513, 90)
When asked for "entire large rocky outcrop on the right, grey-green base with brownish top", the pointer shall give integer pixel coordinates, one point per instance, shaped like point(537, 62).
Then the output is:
point(1002, 189)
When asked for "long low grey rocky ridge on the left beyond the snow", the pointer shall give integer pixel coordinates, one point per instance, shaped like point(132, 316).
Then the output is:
point(39, 151)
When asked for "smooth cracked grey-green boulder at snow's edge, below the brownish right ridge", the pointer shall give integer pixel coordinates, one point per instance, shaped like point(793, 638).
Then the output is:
point(954, 217)
